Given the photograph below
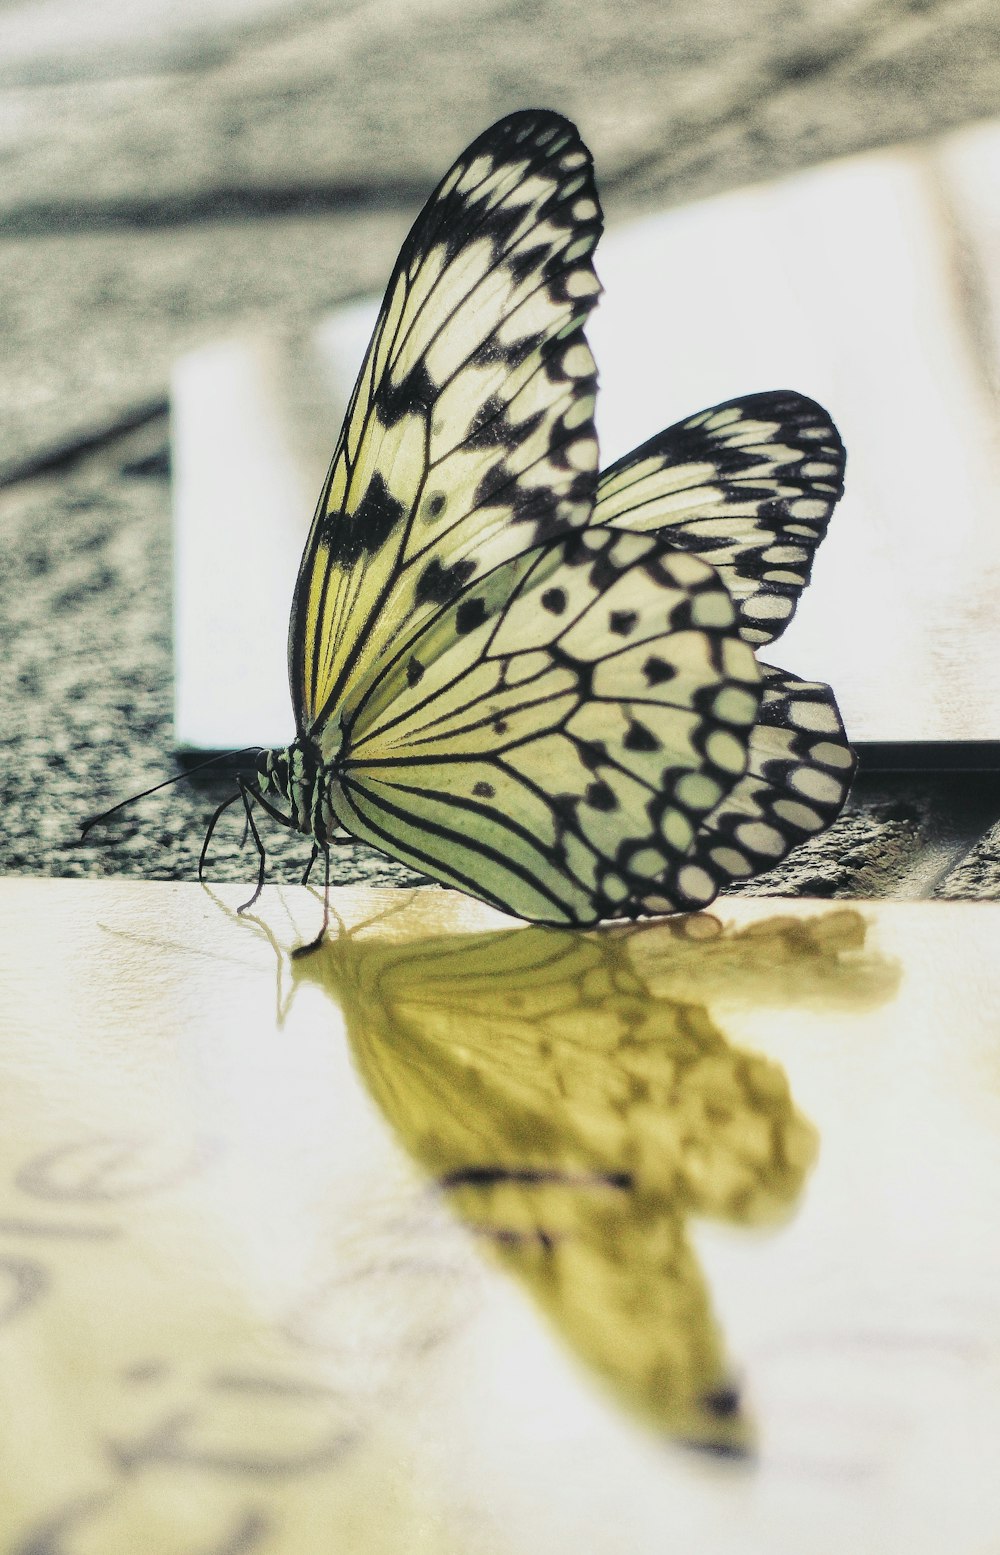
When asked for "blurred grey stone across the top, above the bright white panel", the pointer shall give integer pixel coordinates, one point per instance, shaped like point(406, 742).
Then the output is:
point(145, 209)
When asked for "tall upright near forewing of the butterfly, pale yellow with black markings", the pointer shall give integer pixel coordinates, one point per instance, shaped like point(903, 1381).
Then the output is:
point(470, 433)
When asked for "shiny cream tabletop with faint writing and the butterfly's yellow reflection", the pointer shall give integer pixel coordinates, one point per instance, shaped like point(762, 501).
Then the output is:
point(467, 1237)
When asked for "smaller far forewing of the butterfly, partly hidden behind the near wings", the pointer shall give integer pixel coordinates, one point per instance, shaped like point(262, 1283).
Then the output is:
point(750, 486)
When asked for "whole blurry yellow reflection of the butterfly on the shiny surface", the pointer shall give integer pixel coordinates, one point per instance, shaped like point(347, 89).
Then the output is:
point(578, 1103)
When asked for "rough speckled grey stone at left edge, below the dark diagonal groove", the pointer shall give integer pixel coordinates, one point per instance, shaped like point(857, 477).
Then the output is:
point(86, 637)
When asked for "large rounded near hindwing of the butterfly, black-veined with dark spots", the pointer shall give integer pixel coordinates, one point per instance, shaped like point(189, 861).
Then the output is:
point(553, 739)
